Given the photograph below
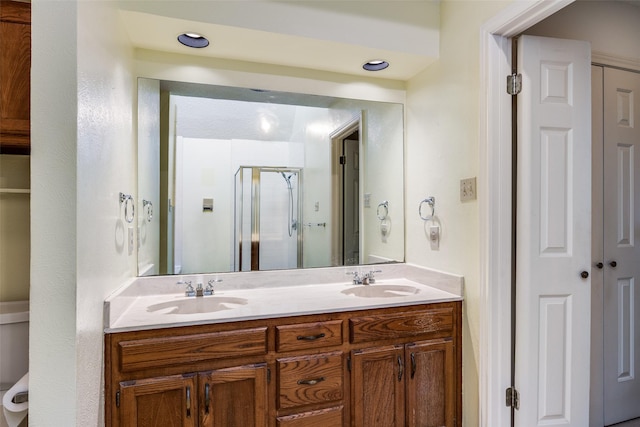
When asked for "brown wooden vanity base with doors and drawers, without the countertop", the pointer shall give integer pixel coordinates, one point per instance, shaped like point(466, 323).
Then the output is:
point(384, 367)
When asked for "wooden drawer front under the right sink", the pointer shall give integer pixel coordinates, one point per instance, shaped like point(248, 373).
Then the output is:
point(398, 325)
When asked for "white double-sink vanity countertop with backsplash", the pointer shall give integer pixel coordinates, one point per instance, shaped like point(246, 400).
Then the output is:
point(146, 303)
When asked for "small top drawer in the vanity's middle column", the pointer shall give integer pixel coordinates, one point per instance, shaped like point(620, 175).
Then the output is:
point(308, 335)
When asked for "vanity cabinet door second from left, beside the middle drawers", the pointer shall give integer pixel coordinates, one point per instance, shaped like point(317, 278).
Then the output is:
point(234, 397)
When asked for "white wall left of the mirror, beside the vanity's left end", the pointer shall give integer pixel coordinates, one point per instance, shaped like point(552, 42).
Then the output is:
point(82, 156)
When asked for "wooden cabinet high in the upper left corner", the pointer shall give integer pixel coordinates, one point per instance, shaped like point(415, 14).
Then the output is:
point(15, 77)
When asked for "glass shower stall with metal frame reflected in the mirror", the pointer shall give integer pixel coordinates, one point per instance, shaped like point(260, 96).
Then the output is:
point(267, 218)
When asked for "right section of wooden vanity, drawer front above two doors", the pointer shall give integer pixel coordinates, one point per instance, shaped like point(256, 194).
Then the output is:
point(411, 384)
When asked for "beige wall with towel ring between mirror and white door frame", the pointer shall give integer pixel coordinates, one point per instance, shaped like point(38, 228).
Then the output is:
point(442, 148)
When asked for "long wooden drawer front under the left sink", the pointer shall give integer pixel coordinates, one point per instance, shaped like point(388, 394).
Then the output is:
point(182, 350)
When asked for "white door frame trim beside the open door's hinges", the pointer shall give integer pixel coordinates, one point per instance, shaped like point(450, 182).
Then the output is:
point(495, 210)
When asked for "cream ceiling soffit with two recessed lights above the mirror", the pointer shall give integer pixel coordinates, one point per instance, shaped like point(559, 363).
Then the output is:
point(336, 36)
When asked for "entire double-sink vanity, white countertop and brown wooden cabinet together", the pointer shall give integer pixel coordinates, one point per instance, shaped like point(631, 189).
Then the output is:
point(388, 354)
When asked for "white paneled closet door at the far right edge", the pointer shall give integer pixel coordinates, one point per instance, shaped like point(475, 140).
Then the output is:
point(621, 263)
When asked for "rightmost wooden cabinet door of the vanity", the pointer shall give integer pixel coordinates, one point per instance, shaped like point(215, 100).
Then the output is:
point(431, 381)
